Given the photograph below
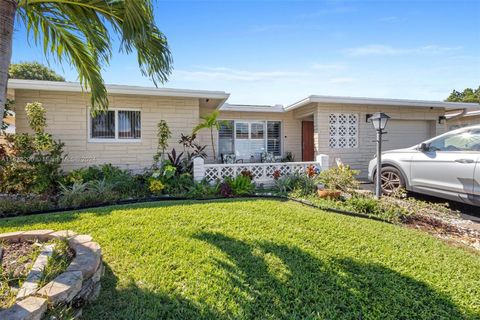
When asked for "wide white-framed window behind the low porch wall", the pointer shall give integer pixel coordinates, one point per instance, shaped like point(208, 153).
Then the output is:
point(248, 139)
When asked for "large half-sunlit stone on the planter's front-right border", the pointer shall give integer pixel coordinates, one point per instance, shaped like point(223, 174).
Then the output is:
point(63, 288)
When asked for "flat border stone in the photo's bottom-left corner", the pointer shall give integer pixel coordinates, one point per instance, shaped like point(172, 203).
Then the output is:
point(31, 308)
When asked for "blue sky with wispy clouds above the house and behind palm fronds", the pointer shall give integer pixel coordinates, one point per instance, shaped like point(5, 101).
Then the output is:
point(279, 52)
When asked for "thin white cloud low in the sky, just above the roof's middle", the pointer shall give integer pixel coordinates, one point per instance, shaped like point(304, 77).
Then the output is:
point(221, 73)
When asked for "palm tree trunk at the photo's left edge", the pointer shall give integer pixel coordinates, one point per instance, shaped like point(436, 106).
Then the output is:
point(7, 19)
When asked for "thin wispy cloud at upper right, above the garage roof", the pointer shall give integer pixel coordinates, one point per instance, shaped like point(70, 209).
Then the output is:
point(384, 50)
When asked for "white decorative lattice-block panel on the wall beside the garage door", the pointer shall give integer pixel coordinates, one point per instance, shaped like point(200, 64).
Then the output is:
point(343, 130)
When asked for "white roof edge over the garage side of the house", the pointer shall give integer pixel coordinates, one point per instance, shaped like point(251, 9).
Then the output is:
point(382, 102)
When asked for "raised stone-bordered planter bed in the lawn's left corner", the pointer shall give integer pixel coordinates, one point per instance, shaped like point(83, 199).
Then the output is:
point(48, 272)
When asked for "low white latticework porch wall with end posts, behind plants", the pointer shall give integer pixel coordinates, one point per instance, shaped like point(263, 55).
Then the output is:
point(262, 172)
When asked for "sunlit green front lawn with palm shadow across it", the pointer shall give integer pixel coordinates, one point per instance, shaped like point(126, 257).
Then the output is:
point(266, 259)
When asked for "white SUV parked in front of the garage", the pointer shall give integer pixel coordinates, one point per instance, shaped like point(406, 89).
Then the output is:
point(447, 166)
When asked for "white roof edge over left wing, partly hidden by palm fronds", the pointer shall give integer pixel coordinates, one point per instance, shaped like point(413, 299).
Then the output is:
point(116, 89)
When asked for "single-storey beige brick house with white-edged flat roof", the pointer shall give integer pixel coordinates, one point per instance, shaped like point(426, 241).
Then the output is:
point(126, 134)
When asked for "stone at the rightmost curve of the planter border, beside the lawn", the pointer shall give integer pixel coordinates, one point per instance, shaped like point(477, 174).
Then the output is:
point(87, 259)
